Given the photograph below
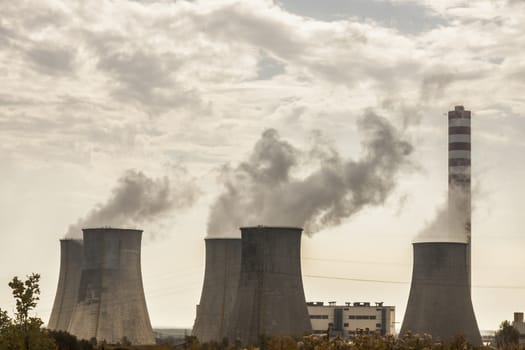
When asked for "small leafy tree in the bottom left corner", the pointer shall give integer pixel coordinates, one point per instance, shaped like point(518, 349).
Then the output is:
point(24, 332)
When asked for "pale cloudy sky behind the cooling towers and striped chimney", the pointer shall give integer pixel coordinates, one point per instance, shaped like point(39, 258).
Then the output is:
point(170, 98)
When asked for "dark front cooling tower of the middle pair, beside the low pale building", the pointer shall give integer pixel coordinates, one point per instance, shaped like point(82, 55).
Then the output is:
point(270, 298)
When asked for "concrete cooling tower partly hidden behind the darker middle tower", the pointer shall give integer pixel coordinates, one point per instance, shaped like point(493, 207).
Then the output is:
point(221, 280)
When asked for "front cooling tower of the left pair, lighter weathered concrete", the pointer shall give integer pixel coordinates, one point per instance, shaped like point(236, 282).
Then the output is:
point(111, 303)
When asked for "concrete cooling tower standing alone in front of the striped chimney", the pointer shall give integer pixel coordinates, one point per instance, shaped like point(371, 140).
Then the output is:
point(439, 303)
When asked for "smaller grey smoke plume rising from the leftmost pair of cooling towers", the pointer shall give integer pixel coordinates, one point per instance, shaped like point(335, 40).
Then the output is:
point(135, 200)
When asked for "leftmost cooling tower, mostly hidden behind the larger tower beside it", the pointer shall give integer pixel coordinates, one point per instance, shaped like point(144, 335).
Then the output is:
point(71, 255)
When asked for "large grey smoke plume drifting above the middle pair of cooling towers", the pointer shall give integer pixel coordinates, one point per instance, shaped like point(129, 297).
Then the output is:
point(264, 190)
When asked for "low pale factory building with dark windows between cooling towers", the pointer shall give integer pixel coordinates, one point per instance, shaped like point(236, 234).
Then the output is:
point(352, 318)
